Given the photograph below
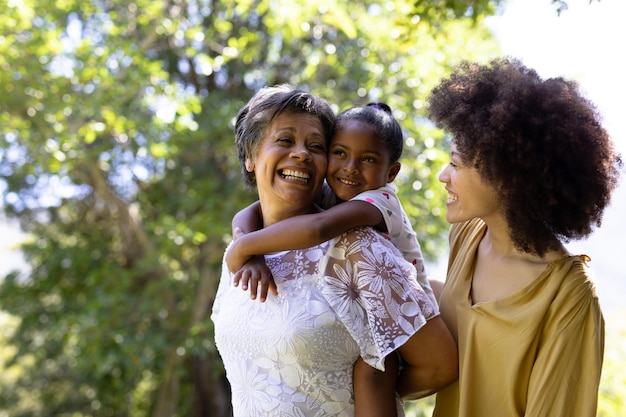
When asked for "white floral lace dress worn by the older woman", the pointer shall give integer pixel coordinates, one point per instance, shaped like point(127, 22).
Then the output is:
point(294, 354)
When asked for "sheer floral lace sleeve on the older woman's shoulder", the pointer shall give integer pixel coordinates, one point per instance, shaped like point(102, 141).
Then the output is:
point(374, 292)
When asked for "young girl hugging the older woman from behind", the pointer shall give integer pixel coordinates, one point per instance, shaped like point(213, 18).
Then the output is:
point(363, 160)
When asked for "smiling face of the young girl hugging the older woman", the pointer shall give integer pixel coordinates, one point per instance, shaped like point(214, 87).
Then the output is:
point(358, 161)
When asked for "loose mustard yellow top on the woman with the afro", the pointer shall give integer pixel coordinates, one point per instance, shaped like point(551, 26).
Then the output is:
point(535, 353)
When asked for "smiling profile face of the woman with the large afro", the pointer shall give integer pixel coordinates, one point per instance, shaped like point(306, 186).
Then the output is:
point(469, 196)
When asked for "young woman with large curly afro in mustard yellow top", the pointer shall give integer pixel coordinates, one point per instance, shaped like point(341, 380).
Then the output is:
point(531, 168)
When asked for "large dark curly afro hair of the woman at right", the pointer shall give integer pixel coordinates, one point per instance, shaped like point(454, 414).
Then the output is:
point(539, 142)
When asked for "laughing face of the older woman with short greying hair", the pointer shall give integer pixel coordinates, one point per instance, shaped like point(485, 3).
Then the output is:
point(289, 166)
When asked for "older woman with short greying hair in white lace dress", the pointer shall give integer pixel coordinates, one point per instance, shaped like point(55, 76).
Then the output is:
point(351, 298)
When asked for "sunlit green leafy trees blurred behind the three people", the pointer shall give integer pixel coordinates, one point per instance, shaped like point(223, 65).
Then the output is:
point(116, 154)
